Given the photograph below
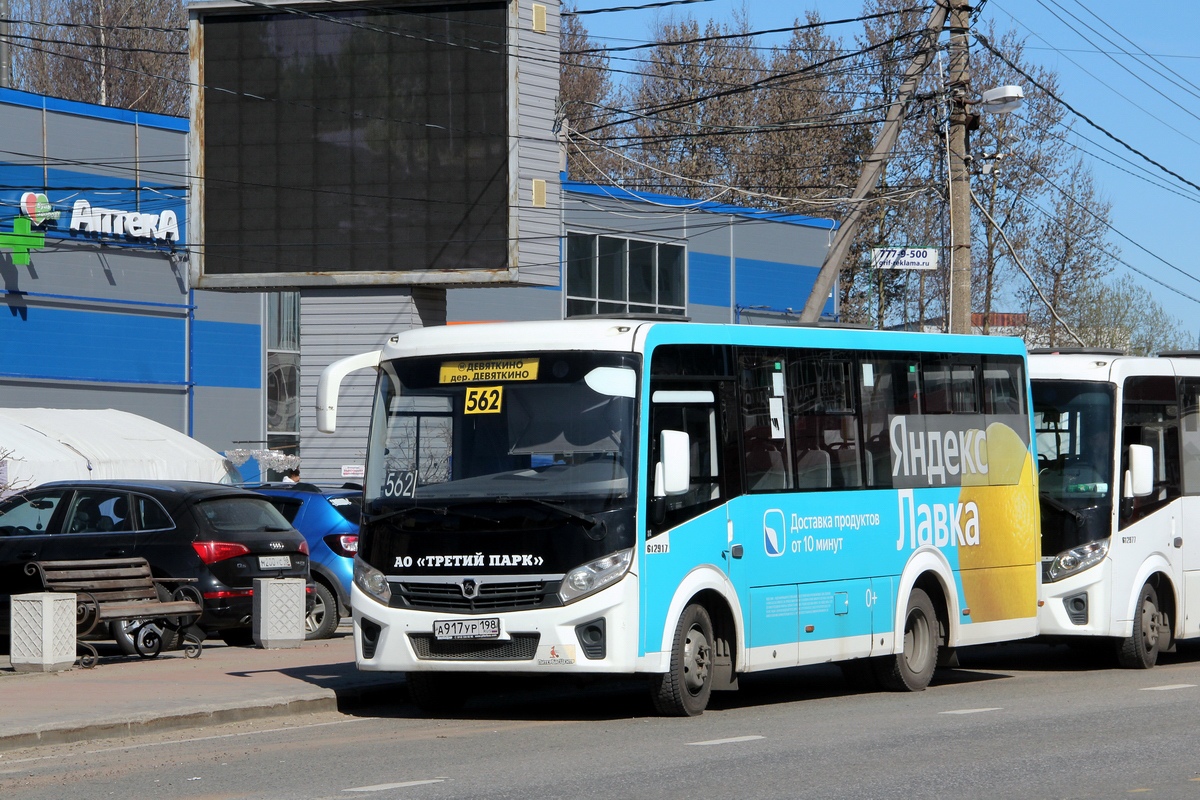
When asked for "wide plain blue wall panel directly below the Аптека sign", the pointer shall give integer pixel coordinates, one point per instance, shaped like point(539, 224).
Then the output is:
point(64, 345)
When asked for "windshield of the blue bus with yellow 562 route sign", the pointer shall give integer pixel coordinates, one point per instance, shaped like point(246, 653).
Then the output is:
point(541, 426)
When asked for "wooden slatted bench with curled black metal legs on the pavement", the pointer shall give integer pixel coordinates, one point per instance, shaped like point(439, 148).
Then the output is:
point(110, 591)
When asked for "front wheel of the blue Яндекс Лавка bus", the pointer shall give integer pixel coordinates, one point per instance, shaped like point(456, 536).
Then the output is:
point(685, 690)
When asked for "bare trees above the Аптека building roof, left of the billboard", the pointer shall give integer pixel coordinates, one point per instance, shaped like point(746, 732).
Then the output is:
point(123, 53)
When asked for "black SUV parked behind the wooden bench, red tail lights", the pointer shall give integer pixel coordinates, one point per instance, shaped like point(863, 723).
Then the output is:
point(221, 536)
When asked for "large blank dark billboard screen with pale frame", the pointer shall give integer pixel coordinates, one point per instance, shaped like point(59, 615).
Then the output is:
point(356, 145)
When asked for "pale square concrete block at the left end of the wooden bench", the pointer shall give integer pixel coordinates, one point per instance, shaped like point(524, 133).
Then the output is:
point(44, 628)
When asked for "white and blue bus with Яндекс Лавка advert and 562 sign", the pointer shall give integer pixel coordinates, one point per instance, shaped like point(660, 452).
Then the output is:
point(689, 502)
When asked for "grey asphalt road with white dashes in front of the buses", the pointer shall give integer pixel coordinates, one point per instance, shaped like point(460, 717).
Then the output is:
point(1016, 721)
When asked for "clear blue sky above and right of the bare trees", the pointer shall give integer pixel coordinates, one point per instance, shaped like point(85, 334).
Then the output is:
point(1155, 110)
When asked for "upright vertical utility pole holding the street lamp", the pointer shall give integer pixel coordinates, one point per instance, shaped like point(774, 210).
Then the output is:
point(961, 170)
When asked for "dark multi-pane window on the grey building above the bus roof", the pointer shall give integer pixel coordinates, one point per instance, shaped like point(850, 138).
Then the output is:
point(610, 275)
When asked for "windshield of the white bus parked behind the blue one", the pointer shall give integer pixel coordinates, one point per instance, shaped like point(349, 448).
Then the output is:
point(1075, 440)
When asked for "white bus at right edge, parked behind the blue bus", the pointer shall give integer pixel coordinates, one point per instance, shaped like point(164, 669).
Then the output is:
point(1119, 462)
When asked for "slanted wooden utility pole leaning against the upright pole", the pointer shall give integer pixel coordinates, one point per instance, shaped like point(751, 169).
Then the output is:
point(873, 167)
